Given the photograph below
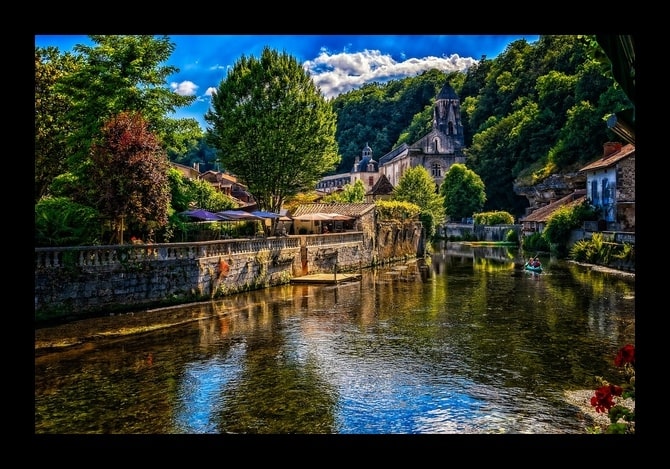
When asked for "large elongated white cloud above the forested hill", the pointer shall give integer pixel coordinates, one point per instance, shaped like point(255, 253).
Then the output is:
point(338, 73)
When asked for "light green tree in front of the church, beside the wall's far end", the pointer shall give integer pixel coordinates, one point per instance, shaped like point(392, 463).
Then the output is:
point(417, 186)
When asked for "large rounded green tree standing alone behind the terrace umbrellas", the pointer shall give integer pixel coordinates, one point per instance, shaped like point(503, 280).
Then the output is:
point(272, 127)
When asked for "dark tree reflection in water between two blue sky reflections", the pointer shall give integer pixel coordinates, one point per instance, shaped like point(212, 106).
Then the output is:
point(277, 392)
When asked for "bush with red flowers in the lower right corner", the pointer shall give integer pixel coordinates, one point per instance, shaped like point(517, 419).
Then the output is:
point(607, 397)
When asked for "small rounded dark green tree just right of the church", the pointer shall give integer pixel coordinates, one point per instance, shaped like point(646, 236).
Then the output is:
point(463, 191)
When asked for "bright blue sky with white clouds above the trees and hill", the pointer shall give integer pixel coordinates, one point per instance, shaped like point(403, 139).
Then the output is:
point(337, 63)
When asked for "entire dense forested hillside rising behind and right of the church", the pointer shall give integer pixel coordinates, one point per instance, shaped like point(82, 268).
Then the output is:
point(535, 110)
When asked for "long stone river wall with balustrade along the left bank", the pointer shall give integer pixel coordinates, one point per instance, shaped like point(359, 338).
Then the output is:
point(86, 280)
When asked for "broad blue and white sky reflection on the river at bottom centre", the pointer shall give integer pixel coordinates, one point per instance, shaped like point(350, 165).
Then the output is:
point(384, 393)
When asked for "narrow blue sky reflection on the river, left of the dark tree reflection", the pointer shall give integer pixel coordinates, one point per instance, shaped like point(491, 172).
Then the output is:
point(201, 390)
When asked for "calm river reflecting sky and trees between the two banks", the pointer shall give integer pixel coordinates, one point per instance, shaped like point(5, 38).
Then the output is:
point(465, 342)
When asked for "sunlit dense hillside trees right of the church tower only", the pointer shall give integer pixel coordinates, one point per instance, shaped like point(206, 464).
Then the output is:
point(541, 105)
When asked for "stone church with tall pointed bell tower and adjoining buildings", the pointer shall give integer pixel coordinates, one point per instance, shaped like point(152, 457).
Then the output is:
point(437, 151)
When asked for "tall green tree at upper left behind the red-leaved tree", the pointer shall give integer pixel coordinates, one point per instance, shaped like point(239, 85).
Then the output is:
point(124, 73)
